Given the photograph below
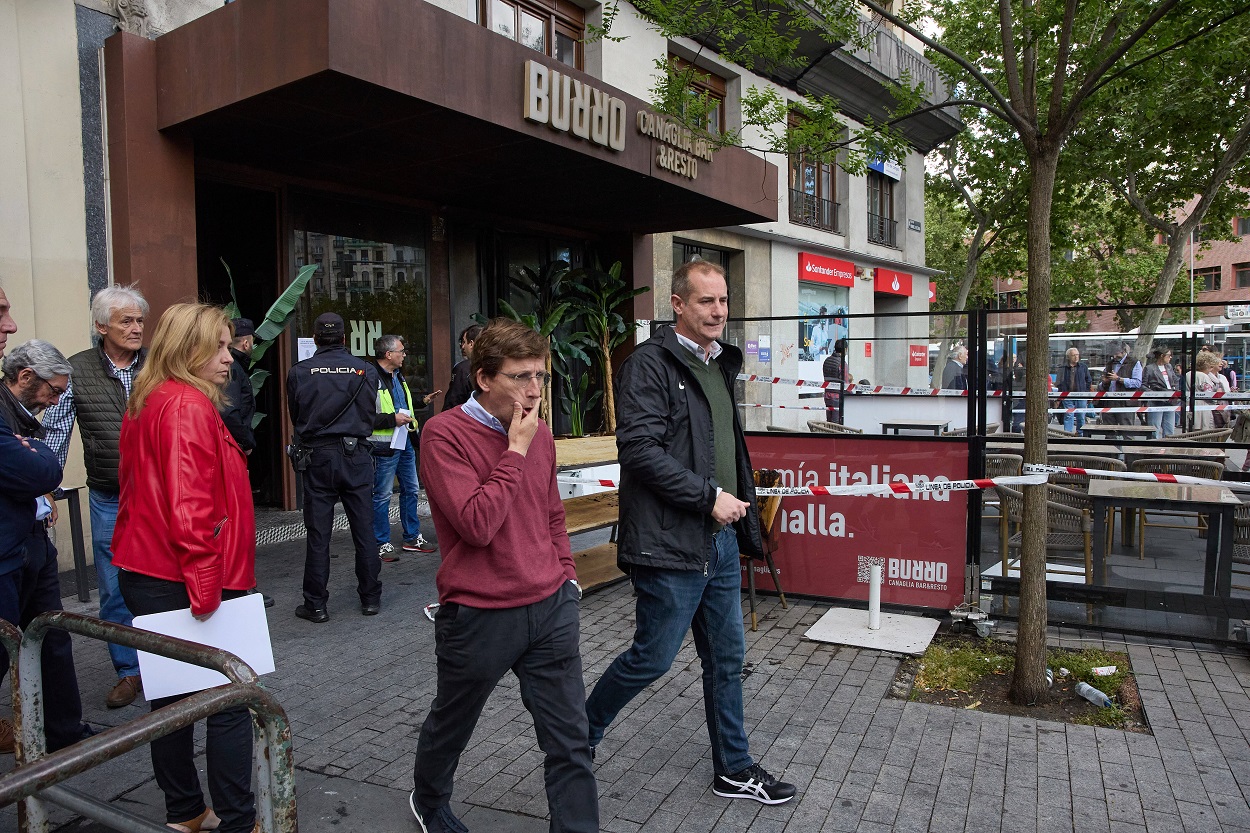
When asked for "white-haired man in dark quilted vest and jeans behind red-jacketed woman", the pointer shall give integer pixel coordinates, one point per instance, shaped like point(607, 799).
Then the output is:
point(101, 385)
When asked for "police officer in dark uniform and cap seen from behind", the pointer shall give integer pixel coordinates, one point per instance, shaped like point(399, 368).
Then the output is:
point(333, 405)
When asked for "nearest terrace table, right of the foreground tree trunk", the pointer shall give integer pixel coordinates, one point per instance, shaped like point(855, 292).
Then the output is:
point(1217, 503)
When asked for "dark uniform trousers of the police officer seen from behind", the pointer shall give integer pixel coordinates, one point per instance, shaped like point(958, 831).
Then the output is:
point(339, 476)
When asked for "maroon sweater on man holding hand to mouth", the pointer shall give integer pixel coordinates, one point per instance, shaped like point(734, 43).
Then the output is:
point(498, 515)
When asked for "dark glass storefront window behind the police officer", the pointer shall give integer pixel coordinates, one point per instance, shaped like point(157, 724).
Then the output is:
point(391, 296)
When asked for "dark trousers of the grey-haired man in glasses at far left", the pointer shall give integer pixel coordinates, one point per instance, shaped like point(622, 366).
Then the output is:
point(26, 593)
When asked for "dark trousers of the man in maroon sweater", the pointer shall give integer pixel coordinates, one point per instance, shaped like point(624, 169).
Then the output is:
point(539, 644)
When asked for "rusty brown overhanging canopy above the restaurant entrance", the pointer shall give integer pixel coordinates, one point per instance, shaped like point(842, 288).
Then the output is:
point(403, 98)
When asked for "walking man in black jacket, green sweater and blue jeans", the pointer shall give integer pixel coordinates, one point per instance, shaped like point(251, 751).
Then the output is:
point(687, 510)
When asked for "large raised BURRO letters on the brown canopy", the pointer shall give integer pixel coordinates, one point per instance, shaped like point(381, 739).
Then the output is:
point(569, 106)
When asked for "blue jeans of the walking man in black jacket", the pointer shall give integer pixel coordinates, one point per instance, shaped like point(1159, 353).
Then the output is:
point(669, 605)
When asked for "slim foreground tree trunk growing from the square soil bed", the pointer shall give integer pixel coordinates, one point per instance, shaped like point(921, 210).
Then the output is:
point(1029, 682)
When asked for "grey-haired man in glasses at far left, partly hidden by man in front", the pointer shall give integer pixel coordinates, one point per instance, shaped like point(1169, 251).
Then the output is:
point(36, 376)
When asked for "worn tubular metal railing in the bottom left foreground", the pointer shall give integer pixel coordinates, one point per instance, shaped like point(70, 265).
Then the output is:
point(37, 771)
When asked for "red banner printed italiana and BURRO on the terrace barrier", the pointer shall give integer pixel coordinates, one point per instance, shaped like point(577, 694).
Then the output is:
point(828, 545)
